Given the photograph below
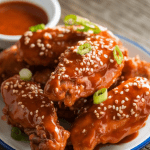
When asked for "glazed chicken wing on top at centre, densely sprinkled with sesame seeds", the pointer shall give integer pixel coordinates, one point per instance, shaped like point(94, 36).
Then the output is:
point(78, 76)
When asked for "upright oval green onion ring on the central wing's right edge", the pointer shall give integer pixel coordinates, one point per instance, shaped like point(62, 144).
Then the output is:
point(118, 58)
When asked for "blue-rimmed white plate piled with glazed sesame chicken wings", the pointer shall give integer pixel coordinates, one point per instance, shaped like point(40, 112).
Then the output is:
point(75, 86)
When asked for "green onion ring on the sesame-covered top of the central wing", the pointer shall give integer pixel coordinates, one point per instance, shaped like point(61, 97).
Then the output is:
point(83, 49)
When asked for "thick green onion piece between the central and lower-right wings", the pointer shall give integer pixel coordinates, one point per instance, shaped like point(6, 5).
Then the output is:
point(100, 96)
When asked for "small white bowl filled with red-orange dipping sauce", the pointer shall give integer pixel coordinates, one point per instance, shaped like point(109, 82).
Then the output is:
point(16, 16)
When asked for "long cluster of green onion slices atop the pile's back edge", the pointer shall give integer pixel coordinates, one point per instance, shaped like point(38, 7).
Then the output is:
point(76, 20)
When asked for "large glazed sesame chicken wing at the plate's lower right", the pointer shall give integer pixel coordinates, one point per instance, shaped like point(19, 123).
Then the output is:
point(123, 113)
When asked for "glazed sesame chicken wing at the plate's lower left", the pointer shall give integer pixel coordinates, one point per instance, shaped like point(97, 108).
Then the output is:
point(28, 108)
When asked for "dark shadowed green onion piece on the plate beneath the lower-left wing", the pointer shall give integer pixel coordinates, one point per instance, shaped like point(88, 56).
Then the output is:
point(16, 134)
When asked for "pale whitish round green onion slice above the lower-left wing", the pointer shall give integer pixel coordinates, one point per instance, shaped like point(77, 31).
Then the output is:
point(25, 74)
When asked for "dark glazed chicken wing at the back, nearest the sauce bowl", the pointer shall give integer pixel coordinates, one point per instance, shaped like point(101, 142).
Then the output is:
point(45, 46)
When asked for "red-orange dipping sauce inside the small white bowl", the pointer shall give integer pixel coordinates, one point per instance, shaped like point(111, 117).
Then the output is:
point(16, 17)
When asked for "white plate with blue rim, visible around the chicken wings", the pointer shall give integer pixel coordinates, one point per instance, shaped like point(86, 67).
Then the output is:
point(142, 139)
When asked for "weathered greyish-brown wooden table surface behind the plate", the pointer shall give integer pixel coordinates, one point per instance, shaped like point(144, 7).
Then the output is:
point(129, 18)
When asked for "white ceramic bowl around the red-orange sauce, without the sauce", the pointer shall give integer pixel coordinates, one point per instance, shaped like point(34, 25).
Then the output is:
point(52, 9)
